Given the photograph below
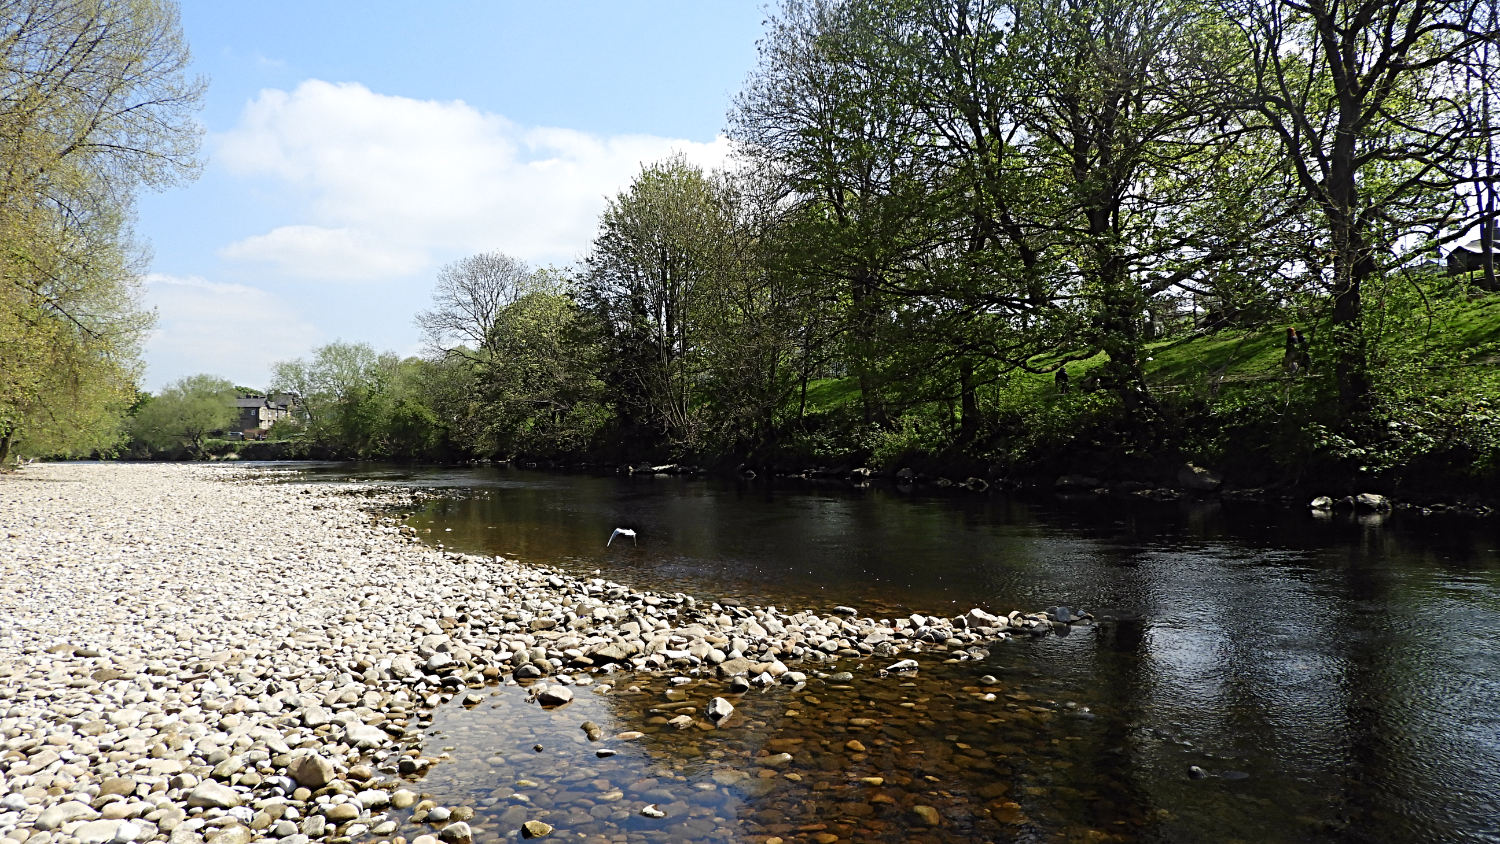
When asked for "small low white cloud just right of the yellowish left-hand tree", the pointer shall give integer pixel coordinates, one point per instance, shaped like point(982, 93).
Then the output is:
point(230, 331)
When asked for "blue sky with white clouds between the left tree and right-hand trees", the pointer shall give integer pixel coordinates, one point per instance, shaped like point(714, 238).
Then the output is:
point(355, 148)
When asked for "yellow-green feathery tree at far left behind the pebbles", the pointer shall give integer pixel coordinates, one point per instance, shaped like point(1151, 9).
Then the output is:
point(94, 107)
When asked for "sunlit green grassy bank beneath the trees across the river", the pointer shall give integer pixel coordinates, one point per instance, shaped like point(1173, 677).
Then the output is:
point(1217, 398)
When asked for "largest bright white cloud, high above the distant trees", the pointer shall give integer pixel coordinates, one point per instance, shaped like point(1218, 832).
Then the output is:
point(391, 184)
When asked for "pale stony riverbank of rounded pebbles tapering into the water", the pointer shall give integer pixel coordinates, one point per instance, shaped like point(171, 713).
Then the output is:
point(214, 654)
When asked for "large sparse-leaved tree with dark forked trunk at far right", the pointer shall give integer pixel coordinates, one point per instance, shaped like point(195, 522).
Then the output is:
point(1367, 106)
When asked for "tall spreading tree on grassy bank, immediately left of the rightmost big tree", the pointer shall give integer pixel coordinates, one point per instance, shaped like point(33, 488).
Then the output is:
point(1120, 115)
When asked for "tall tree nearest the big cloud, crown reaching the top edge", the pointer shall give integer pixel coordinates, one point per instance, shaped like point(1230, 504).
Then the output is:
point(820, 116)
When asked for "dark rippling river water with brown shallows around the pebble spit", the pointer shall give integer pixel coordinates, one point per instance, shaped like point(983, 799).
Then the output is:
point(1334, 680)
